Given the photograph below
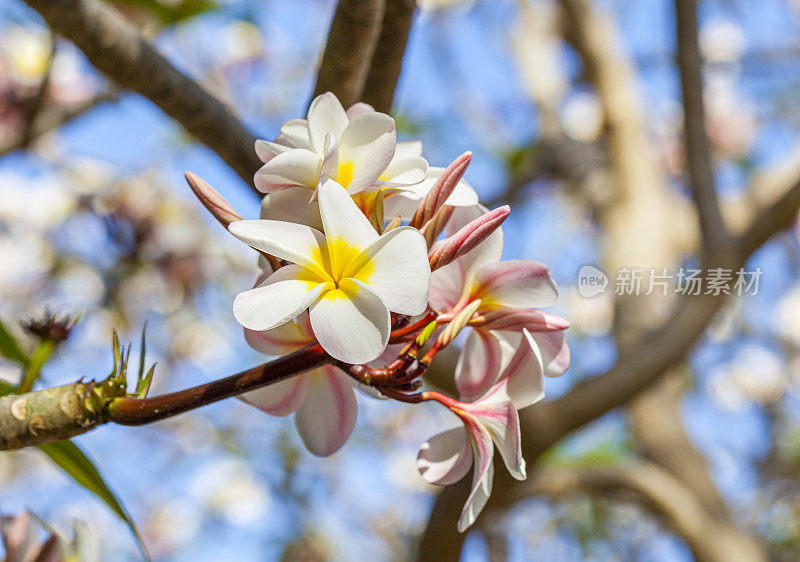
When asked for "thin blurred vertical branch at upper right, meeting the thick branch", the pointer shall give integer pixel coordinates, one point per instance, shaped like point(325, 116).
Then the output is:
point(698, 147)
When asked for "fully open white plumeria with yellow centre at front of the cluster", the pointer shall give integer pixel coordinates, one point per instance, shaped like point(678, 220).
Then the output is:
point(349, 278)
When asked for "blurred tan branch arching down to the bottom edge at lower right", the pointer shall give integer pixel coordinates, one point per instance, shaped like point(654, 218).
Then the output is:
point(658, 491)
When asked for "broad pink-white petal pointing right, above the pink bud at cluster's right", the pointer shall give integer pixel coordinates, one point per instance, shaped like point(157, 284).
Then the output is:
point(515, 283)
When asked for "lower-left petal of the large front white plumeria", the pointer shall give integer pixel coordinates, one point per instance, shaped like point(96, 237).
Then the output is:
point(284, 295)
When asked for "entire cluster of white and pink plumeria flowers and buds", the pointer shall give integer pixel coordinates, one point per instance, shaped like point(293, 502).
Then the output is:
point(371, 254)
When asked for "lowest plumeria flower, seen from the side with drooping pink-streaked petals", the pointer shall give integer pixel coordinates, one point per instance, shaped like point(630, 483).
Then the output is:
point(489, 422)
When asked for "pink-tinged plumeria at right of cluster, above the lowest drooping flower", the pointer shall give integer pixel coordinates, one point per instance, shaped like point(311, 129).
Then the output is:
point(505, 288)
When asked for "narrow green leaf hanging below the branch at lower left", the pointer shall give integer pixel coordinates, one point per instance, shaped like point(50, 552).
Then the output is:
point(72, 460)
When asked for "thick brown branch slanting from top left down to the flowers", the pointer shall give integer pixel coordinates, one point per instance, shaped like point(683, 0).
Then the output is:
point(117, 49)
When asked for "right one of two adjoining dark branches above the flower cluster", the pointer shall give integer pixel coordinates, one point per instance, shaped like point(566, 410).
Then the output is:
point(387, 61)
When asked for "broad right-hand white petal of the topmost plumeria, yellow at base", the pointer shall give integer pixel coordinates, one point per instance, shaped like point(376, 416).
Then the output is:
point(368, 143)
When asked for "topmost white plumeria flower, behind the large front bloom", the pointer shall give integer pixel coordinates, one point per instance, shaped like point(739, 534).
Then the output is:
point(357, 148)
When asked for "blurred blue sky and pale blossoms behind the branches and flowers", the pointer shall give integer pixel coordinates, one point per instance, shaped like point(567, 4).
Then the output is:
point(557, 100)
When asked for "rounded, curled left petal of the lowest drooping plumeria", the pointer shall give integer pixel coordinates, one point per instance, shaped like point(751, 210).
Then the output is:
point(446, 457)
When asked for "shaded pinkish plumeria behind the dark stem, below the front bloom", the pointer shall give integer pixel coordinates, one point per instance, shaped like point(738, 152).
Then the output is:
point(322, 400)
